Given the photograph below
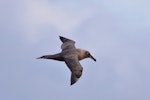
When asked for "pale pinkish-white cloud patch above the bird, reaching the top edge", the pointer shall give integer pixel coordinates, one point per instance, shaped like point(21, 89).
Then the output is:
point(62, 19)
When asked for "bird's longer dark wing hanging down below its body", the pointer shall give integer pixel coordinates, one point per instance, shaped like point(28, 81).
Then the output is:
point(75, 67)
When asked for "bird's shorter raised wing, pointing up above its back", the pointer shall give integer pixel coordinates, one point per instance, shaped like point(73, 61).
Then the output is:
point(67, 43)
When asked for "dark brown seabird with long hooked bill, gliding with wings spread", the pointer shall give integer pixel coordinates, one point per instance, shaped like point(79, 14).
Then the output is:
point(71, 56)
